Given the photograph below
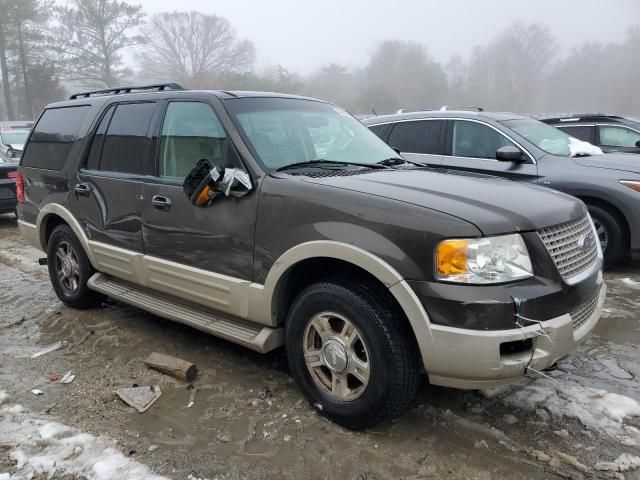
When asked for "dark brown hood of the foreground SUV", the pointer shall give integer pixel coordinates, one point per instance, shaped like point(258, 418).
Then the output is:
point(493, 205)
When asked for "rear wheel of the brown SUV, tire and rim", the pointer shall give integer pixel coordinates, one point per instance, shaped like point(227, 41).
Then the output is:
point(69, 278)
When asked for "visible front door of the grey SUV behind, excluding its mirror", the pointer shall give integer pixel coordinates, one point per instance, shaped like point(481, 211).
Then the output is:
point(472, 146)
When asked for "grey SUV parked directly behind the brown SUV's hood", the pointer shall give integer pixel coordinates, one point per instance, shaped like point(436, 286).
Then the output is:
point(521, 148)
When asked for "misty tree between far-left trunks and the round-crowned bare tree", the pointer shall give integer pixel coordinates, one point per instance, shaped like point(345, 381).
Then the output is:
point(90, 36)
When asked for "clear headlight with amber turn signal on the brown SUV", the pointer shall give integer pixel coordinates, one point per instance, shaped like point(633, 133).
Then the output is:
point(483, 260)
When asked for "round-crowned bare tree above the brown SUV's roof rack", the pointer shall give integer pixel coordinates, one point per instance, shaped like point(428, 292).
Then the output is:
point(193, 48)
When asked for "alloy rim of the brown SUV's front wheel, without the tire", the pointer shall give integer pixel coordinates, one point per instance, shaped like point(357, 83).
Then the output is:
point(336, 356)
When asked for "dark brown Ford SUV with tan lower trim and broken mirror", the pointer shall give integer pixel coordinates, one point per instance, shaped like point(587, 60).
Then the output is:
point(313, 235)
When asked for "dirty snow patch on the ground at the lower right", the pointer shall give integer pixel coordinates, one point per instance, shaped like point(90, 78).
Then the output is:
point(597, 409)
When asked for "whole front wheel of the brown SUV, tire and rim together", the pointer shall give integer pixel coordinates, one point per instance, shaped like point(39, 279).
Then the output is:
point(382, 345)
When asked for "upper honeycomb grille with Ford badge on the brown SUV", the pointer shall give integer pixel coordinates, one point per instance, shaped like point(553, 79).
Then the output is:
point(572, 246)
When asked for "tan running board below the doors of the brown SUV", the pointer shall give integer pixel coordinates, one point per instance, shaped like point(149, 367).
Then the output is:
point(259, 338)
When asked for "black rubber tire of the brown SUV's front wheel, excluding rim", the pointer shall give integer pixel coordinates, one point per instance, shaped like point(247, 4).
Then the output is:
point(392, 354)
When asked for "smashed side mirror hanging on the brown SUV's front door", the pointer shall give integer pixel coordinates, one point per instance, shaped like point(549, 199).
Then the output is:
point(204, 183)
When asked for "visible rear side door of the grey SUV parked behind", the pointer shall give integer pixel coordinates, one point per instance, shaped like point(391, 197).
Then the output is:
point(419, 141)
